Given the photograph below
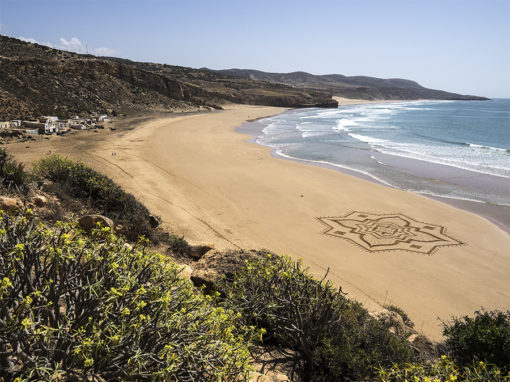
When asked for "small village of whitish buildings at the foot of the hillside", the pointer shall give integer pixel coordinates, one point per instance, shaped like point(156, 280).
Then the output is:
point(49, 125)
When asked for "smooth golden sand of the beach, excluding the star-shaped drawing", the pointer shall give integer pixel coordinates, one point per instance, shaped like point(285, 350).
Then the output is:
point(211, 185)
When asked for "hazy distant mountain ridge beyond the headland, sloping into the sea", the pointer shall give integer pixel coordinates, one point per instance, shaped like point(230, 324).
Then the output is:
point(351, 87)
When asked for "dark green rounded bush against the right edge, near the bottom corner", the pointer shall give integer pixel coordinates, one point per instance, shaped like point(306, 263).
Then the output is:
point(484, 337)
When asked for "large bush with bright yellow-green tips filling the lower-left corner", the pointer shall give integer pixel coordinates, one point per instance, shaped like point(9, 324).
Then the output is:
point(74, 306)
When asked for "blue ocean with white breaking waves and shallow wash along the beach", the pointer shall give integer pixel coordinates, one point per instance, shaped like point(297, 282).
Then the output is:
point(449, 149)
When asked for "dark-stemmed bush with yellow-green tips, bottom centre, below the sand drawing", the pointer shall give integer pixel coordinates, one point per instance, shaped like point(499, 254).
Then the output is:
point(336, 337)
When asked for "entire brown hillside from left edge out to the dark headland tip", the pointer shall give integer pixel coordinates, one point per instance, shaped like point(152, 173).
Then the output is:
point(37, 80)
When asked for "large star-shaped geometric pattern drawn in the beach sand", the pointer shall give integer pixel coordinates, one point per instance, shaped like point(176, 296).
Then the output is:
point(388, 232)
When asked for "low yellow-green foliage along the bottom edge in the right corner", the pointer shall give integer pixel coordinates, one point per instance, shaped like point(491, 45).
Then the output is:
point(443, 370)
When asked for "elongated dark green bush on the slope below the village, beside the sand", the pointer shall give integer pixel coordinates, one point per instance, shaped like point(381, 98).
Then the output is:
point(78, 180)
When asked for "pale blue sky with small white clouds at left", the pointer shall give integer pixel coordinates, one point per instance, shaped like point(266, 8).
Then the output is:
point(461, 46)
